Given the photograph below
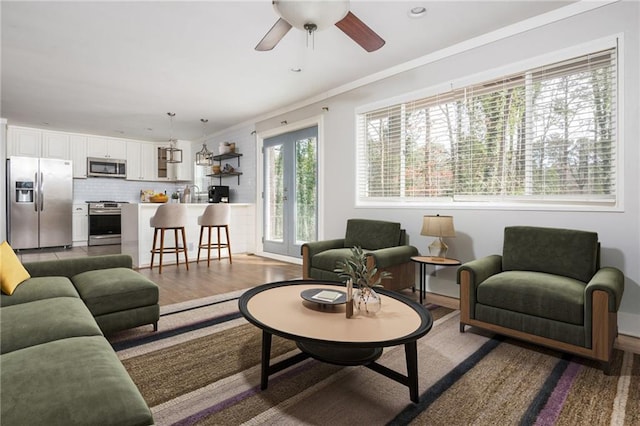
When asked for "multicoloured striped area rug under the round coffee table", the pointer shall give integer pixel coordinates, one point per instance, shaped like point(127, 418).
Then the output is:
point(202, 367)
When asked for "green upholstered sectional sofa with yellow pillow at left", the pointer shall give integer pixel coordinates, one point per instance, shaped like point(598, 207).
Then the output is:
point(56, 366)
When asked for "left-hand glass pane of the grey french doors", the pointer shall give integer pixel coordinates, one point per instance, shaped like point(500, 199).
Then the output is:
point(274, 194)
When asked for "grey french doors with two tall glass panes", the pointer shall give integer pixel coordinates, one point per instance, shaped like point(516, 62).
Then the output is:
point(290, 191)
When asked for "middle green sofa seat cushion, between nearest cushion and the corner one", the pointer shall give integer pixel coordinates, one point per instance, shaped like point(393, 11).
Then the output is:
point(43, 321)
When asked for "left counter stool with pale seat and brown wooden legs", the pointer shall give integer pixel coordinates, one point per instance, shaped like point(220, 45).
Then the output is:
point(169, 216)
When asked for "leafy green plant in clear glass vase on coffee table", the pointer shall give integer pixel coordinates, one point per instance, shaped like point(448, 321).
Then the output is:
point(364, 278)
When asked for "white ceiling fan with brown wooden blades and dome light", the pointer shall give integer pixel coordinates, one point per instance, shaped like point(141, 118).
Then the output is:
point(317, 15)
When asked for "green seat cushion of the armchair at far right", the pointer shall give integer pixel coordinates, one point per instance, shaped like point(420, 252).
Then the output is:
point(535, 293)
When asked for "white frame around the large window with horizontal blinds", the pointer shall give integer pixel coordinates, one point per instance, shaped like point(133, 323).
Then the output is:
point(480, 202)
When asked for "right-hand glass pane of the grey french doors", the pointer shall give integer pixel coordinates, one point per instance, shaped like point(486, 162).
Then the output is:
point(306, 190)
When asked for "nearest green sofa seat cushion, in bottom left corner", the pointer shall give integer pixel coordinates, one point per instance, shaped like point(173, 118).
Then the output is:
point(79, 380)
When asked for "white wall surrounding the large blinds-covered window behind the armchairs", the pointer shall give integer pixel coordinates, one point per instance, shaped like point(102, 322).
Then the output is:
point(480, 230)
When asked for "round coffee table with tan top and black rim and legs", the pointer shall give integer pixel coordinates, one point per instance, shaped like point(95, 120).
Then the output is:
point(324, 333)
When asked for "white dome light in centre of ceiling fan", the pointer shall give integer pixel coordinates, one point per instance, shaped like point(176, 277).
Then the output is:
point(323, 14)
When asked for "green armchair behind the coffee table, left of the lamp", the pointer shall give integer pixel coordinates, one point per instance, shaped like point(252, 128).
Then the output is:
point(385, 245)
